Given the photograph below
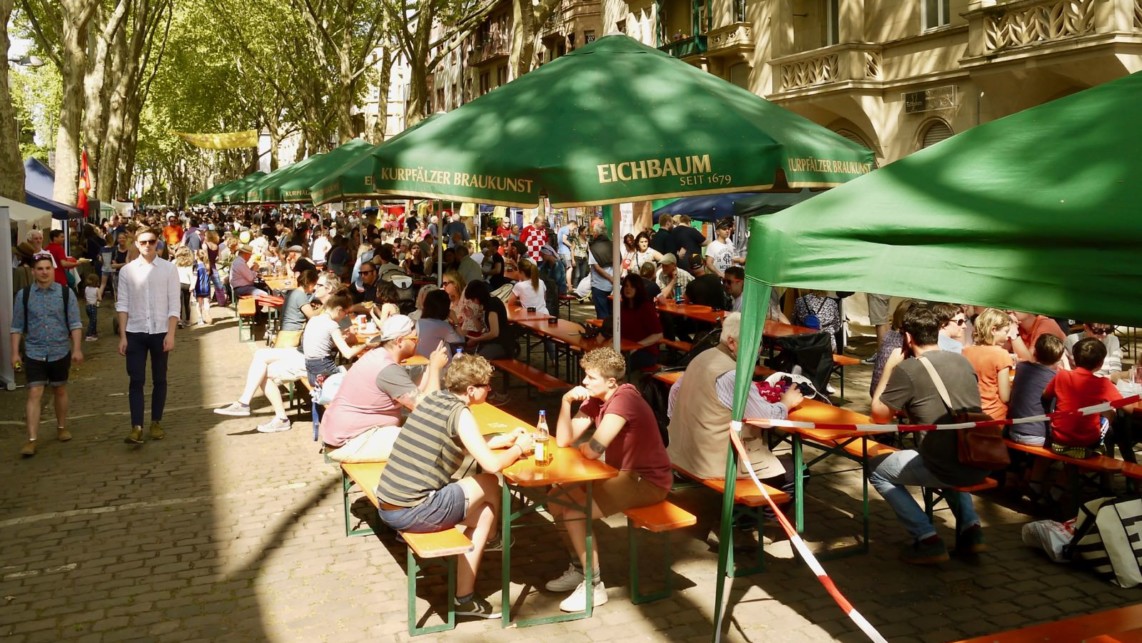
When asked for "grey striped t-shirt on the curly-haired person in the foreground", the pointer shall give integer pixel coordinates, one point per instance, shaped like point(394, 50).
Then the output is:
point(428, 452)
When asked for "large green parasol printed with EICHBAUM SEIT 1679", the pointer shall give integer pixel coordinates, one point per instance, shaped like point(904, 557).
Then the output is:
point(613, 123)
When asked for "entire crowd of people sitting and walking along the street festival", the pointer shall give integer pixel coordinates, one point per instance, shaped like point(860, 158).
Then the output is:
point(361, 295)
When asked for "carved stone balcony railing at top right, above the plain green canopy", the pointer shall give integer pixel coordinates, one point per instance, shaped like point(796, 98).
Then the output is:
point(1025, 25)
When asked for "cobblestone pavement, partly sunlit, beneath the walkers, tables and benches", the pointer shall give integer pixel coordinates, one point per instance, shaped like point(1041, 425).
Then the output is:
point(220, 533)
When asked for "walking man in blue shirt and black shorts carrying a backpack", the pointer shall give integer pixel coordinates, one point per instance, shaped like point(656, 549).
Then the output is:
point(46, 317)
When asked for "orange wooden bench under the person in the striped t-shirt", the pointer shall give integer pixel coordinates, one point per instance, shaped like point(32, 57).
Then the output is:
point(440, 545)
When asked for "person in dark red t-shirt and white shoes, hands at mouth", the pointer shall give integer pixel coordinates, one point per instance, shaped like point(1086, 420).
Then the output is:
point(628, 433)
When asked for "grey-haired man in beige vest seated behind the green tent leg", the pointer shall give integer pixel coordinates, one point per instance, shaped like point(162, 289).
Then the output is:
point(701, 429)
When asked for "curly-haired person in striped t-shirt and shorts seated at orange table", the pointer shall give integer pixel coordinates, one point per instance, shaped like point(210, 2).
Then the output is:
point(417, 492)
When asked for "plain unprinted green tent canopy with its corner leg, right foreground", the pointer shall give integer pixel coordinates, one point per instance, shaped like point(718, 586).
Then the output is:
point(1036, 212)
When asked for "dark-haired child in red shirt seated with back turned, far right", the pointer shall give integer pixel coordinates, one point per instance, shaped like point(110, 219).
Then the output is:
point(1075, 390)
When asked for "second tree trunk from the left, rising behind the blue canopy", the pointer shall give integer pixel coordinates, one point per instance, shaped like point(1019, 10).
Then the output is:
point(74, 59)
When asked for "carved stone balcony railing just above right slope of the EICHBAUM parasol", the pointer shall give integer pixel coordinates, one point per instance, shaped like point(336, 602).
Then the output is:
point(833, 65)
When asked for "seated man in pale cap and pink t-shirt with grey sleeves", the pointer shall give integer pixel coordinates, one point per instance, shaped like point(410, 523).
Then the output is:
point(363, 422)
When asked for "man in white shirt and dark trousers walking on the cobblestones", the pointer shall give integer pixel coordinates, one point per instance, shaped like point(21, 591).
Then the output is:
point(149, 311)
